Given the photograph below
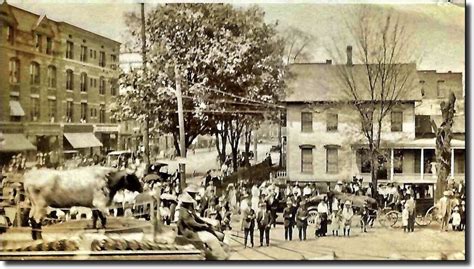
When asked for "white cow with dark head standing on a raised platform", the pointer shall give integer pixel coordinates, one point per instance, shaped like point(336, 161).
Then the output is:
point(92, 187)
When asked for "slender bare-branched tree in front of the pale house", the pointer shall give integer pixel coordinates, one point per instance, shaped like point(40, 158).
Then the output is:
point(381, 79)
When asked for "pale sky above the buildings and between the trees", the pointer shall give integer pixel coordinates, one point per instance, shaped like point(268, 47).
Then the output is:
point(438, 29)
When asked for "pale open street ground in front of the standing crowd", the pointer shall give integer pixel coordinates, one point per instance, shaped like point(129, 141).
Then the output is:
point(377, 244)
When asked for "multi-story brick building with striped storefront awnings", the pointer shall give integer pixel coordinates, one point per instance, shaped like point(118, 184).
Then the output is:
point(55, 83)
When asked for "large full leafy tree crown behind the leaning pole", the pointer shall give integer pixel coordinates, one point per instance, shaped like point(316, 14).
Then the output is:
point(230, 58)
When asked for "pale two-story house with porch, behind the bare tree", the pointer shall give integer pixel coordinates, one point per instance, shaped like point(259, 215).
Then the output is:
point(324, 135)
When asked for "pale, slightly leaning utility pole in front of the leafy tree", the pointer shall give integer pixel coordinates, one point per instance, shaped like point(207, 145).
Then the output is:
point(182, 143)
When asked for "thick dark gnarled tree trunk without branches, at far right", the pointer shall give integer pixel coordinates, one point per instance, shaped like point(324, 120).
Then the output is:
point(444, 135)
